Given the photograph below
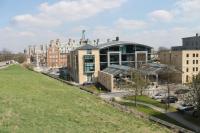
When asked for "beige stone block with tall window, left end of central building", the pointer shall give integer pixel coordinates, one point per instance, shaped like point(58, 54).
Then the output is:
point(83, 64)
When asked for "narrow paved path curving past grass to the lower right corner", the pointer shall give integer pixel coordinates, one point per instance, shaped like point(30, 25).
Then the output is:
point(174, 115)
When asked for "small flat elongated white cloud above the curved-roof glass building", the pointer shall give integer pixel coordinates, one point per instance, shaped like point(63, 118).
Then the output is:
point(130, 24)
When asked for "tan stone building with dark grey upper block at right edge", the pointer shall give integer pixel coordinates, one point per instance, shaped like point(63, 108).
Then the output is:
point(185, 58)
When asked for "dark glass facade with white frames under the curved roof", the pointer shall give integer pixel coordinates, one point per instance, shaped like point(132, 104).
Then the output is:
point(127, 54)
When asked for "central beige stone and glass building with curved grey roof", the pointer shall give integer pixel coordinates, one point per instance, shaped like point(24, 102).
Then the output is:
point(85, 62)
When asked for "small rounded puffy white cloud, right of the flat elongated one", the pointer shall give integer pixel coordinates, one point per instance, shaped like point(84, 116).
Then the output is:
point(161, 15)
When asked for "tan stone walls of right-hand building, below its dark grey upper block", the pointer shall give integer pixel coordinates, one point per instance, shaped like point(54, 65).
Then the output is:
point(179, 60)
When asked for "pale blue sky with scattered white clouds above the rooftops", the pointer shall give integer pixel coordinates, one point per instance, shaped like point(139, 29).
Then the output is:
point(151, 22)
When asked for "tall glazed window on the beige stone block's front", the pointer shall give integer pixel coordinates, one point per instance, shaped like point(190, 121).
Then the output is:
point(89, 65)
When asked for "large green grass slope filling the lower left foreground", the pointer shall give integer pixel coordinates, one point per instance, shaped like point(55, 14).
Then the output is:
point(33, 103)
